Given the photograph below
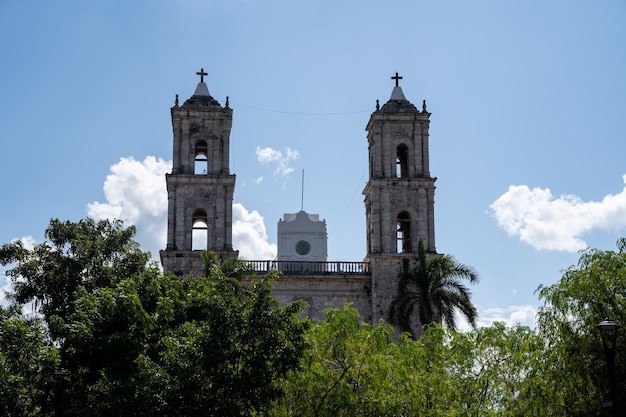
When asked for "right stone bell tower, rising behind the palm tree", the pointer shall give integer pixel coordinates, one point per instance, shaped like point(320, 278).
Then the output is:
point(399, 195)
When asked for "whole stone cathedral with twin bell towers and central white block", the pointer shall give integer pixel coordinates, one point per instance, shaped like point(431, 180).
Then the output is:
point(398, 197)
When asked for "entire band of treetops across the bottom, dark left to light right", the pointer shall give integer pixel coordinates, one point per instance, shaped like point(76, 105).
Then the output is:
point(135, 342)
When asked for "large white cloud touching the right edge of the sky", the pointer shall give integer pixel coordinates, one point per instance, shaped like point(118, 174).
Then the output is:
point(545, 222)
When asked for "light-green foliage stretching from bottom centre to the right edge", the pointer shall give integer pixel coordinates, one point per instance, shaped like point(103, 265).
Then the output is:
point(558, 370)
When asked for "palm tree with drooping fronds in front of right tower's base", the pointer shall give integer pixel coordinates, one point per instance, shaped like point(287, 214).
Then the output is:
point(434, 290)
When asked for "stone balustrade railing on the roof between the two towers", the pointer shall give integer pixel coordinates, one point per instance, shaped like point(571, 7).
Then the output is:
point(310, 267)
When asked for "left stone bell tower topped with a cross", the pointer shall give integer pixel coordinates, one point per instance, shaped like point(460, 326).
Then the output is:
point(200, 187)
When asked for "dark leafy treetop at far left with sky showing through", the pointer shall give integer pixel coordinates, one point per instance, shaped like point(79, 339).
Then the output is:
point(86, 254)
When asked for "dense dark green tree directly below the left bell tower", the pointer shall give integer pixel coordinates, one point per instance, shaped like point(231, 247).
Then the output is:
point(156, 345)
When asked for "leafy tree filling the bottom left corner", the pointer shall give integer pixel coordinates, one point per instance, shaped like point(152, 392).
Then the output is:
point(27, 365)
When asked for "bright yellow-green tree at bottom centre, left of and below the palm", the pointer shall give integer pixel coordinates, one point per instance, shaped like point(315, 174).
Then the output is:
point(351, 369)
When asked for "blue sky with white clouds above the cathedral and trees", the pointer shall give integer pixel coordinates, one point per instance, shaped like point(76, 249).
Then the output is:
point(527, 100)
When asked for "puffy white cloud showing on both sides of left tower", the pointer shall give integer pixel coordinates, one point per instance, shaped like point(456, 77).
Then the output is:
point(135, 192)
